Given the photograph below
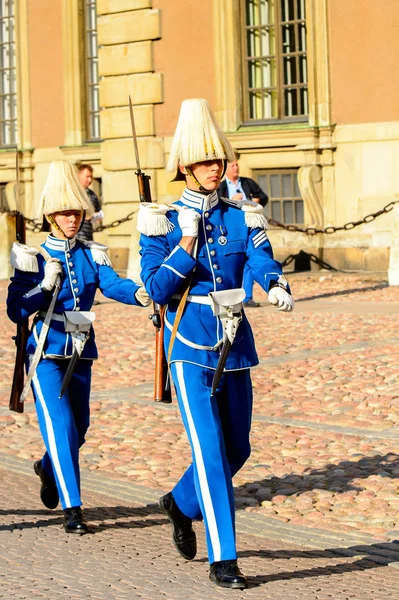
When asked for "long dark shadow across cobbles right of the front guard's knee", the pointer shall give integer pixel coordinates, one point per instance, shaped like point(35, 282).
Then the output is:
point(331, 477)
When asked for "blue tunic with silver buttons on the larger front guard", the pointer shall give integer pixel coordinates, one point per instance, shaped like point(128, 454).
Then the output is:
point(225, 244)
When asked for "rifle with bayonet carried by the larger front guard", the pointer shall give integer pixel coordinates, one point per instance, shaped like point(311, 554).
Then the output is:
point(162, 391)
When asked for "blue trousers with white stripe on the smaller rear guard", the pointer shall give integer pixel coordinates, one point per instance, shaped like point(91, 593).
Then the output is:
point(63, 423)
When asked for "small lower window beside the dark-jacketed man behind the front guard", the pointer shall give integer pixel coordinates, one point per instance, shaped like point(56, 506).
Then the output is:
point(285, 201)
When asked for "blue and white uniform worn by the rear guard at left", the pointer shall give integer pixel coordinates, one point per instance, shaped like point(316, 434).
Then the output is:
point(63, 421)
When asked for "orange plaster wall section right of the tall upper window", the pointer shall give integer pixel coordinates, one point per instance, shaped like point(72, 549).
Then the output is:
point(364, 46)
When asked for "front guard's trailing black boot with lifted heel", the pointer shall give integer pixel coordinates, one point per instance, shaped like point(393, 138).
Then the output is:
point(183, 534)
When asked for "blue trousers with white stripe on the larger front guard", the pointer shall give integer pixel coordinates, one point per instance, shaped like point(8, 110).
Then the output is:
point(218, 429)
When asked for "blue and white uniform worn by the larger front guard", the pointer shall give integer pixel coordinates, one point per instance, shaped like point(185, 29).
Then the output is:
point(231, 235)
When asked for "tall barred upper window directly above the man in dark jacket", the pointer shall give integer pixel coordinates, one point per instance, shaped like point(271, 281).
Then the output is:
point(274, 60)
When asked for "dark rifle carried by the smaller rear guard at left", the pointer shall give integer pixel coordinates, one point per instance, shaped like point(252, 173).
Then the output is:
point(21, 337)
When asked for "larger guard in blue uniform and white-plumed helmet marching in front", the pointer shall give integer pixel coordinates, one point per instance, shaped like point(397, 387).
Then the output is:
point(193, 258)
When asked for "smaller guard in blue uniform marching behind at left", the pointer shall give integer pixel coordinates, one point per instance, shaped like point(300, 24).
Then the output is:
point(57, 283)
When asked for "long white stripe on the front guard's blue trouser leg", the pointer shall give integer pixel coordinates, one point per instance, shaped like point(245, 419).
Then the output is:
point(199, 461)
